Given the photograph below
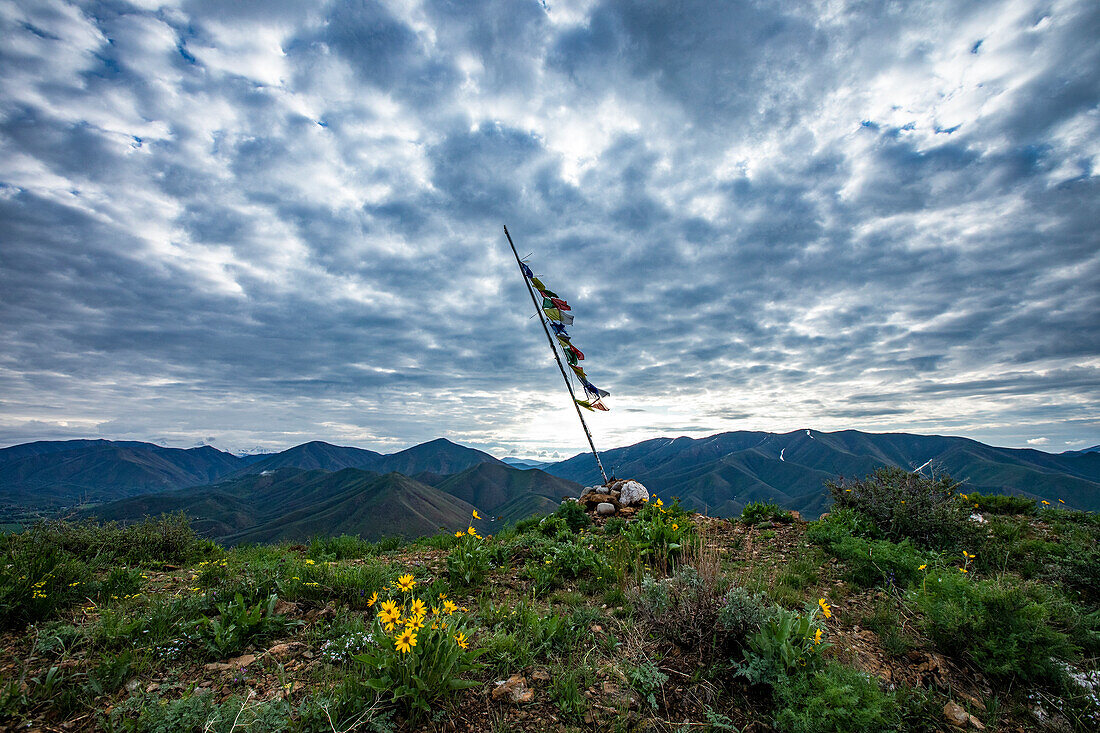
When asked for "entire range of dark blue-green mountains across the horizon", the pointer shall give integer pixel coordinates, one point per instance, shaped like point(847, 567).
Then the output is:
point(318, 488)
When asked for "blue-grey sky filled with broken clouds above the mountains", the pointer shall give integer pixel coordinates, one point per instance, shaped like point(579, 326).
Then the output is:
point(270, 222)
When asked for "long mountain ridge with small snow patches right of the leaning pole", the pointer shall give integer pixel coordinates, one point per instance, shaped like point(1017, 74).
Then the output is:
point(721, 474)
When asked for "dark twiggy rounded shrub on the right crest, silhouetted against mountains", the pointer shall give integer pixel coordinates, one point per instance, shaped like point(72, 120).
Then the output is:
point(905, 506)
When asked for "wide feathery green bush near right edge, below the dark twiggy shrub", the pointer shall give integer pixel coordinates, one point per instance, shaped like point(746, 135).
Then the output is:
point(1003, 627)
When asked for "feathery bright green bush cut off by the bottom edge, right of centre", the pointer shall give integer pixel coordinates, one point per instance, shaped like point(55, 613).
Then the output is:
point(833, 699)
